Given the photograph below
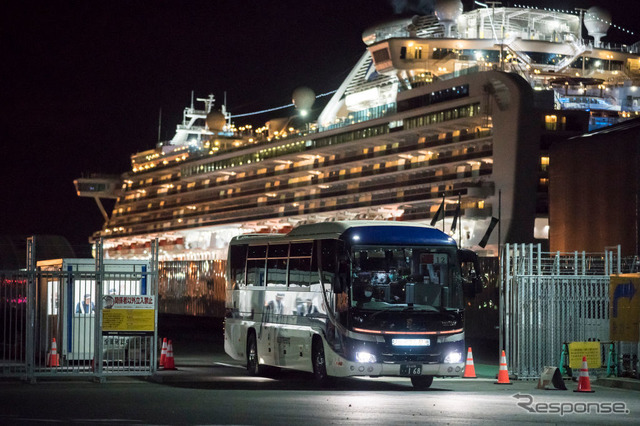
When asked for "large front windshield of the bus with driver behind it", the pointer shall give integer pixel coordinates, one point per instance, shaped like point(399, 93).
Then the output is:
point(424, 278)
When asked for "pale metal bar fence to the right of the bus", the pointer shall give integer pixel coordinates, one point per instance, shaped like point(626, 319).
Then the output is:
point(548, 299)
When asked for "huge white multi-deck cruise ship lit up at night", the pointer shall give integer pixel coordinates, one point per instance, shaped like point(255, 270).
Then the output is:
point(455, 109)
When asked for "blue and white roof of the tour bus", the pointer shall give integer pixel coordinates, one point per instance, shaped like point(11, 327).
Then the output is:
point(357, 232)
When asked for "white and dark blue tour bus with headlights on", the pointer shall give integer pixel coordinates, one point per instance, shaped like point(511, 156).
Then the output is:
point(353, 298)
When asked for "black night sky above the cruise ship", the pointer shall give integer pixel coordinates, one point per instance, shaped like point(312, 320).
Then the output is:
point(83, 82)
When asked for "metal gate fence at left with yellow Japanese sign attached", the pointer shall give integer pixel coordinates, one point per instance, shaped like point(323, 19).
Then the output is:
point(53, 315)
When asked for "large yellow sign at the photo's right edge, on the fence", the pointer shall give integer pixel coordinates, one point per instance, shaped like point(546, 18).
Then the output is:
point(624, 309)
